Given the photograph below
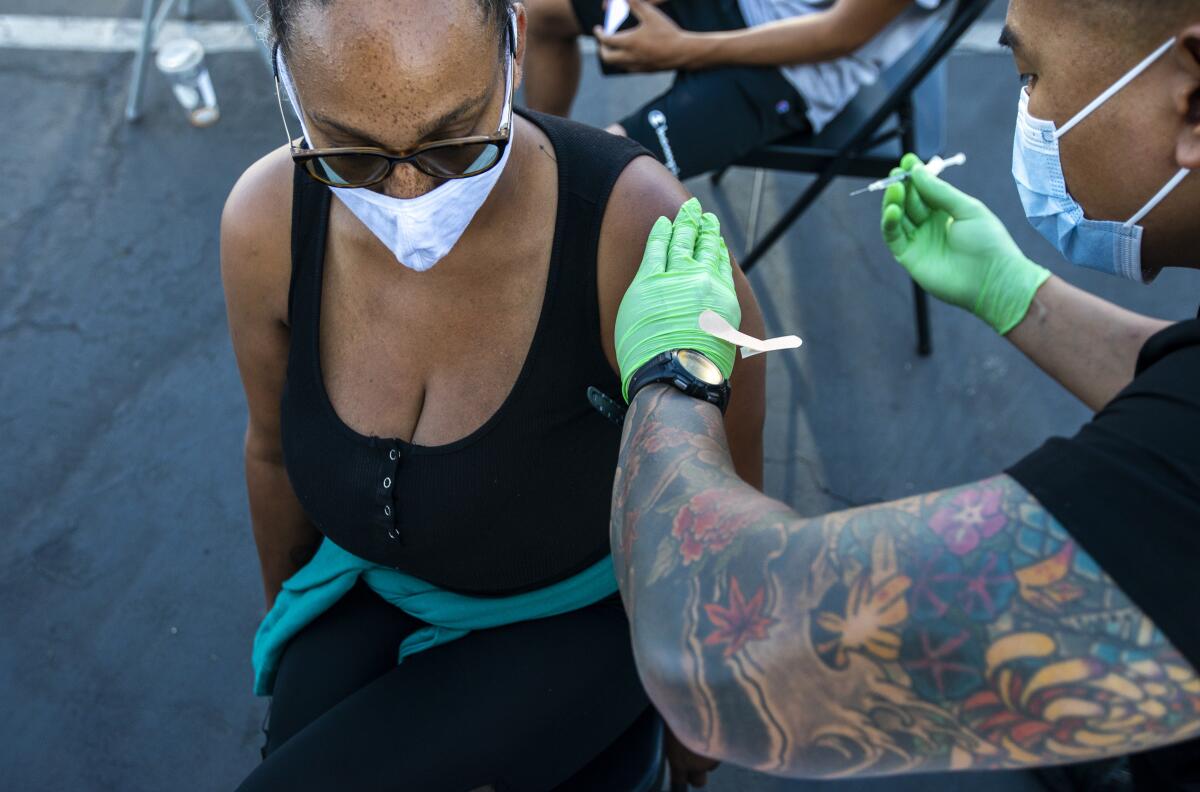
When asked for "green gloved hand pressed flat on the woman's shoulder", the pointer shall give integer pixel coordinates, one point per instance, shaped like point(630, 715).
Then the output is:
point(686, 271)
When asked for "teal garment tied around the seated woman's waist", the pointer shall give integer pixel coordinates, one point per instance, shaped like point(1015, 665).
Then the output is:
point(333, 572)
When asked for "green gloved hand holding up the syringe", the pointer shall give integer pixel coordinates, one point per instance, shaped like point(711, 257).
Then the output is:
point(957, 250)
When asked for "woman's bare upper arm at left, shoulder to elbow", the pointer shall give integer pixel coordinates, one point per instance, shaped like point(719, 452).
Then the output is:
point(256, 274)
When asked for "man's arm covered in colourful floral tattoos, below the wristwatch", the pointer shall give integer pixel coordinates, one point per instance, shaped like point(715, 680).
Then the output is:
point(950, 631)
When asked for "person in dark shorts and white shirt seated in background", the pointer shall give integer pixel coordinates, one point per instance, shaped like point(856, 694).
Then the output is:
point(747, 71)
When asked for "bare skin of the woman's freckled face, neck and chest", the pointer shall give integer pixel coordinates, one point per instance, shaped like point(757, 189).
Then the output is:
point(403, 351)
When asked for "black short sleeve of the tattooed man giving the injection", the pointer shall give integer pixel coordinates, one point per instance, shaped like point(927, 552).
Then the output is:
point(1127, 487)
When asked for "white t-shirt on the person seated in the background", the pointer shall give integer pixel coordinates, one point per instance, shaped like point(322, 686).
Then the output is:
point(829, 87)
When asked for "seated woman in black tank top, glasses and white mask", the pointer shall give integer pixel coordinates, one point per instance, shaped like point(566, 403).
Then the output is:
point(417, 357)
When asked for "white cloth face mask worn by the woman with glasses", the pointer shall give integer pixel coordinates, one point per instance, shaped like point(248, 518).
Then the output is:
point(422, 231)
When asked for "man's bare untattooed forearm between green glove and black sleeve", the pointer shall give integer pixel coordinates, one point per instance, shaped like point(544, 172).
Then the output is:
point(1088, 345)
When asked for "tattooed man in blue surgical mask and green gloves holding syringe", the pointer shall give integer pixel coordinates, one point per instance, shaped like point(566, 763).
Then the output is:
point(1043, 616)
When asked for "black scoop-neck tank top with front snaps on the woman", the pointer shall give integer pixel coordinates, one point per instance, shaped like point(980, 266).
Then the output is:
point(524, 501)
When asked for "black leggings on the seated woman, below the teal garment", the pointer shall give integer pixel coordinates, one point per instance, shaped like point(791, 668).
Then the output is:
point(520, 707)
